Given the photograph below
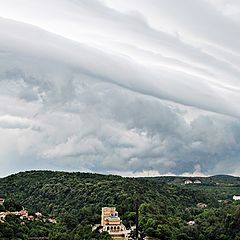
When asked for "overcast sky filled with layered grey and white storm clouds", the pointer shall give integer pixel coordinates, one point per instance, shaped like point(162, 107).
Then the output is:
point(120, 86)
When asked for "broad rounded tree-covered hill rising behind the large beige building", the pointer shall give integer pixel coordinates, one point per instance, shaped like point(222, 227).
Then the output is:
point(59, 192)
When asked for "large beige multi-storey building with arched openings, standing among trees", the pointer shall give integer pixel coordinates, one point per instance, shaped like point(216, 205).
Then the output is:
point(112, 224)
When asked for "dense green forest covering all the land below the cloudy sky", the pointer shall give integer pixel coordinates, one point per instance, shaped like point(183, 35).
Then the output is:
point(168, 209)
